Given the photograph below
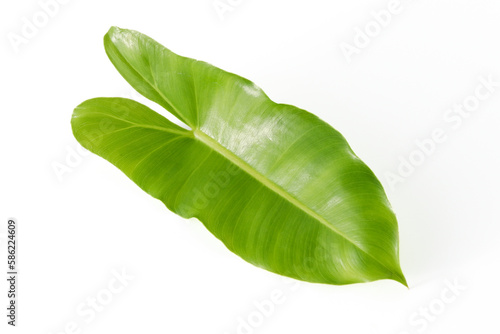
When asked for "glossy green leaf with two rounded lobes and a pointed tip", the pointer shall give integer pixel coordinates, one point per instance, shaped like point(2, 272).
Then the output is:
point(278, 186)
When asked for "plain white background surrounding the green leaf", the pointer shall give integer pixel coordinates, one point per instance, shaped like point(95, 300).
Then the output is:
point(77, 229)
